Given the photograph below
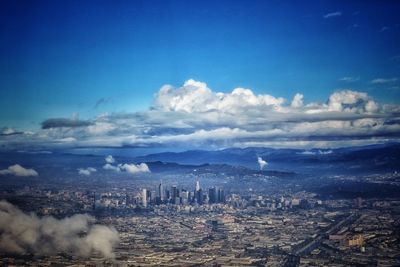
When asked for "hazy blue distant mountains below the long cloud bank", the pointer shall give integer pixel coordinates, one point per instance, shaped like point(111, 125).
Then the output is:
point(372, 156)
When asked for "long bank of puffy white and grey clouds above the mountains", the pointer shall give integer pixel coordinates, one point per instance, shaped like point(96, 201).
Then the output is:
point(195, 116)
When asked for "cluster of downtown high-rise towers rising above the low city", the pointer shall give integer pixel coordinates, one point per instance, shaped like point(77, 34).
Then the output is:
point(177, 196)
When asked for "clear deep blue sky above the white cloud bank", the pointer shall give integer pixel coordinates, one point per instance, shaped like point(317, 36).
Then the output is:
point(59, 58)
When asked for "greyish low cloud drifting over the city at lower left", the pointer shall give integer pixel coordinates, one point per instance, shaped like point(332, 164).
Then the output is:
point(22, 233)
